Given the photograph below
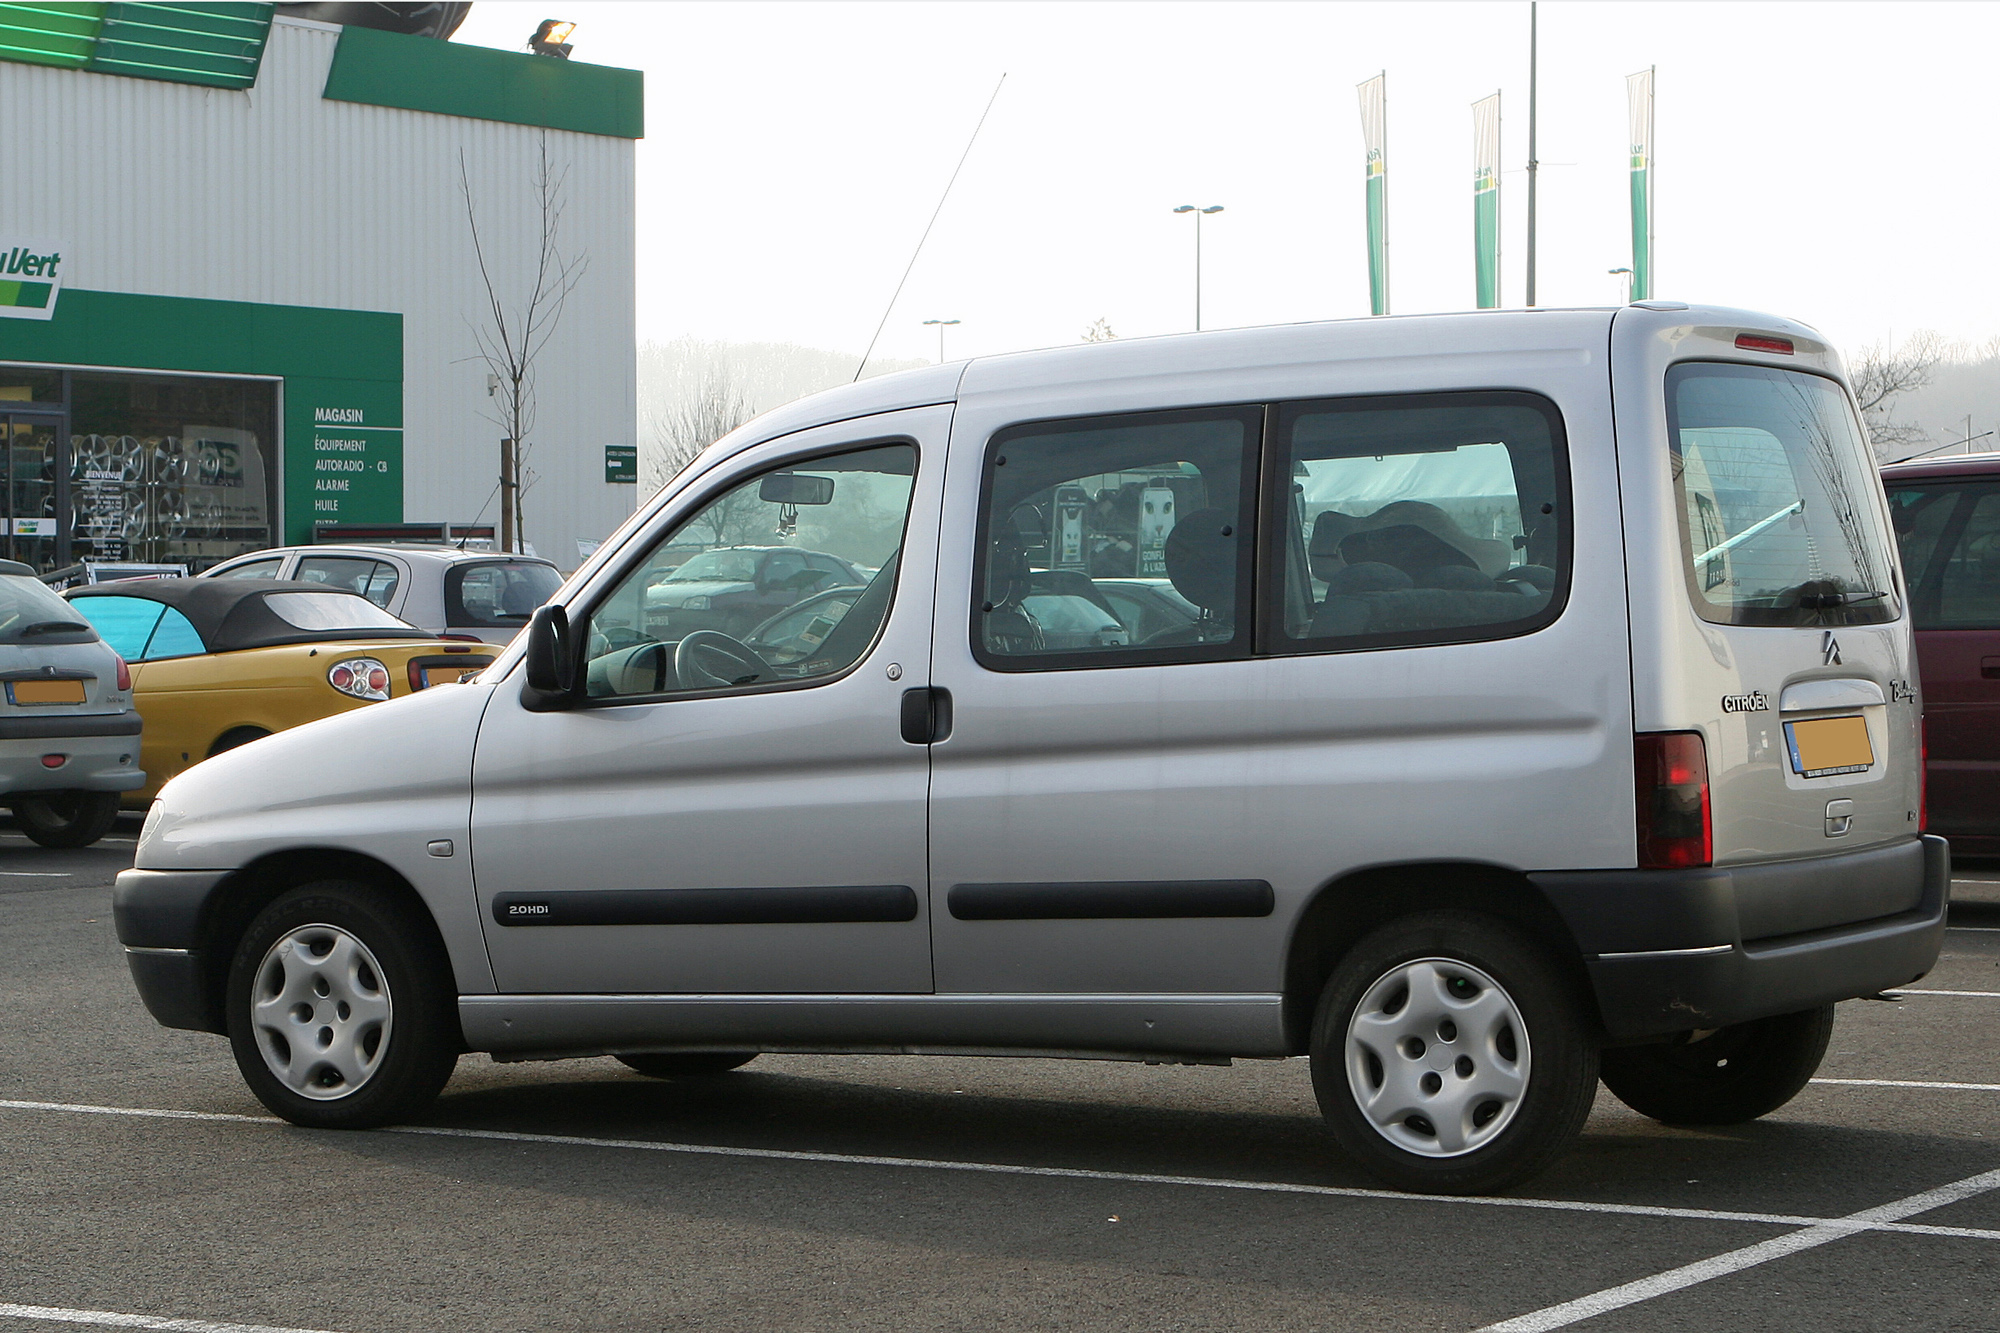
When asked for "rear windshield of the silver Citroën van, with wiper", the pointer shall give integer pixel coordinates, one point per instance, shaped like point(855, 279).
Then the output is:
point(1775, 491)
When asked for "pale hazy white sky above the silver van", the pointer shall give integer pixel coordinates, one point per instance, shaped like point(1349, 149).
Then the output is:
point(1821, 161)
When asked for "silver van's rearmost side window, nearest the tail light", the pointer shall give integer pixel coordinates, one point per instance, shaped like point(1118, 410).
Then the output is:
point(1423, 519)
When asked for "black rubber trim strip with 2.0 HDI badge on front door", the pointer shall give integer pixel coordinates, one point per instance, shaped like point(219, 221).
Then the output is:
point(817, 906)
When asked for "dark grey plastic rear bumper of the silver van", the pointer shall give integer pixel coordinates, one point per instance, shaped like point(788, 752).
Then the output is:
point(1671, 952)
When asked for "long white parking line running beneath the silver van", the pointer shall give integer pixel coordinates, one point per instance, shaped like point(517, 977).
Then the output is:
point(1063, 1174)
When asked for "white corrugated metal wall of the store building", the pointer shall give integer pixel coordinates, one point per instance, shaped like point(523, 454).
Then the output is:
point(277, 195)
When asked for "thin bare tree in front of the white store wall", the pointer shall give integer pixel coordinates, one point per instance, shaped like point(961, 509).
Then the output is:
point(515, 333)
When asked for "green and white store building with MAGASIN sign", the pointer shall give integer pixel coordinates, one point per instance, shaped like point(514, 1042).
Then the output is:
point(241, 299)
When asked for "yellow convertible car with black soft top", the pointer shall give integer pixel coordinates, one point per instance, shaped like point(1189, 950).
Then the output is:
point(223, 661)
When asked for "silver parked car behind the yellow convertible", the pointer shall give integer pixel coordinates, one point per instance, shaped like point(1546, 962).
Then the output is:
point(443, 589)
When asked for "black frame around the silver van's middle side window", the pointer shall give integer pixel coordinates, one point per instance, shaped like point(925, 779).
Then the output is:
point(1239, 647)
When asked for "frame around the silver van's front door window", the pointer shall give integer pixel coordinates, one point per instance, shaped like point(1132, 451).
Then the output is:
point(713, 489)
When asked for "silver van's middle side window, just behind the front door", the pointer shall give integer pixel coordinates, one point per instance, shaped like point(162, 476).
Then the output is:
point(1159, 497)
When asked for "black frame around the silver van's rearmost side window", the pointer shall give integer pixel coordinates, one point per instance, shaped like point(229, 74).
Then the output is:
point(1277, 501)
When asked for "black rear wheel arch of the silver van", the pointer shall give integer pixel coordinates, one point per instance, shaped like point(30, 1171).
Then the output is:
point(1359, 902)
